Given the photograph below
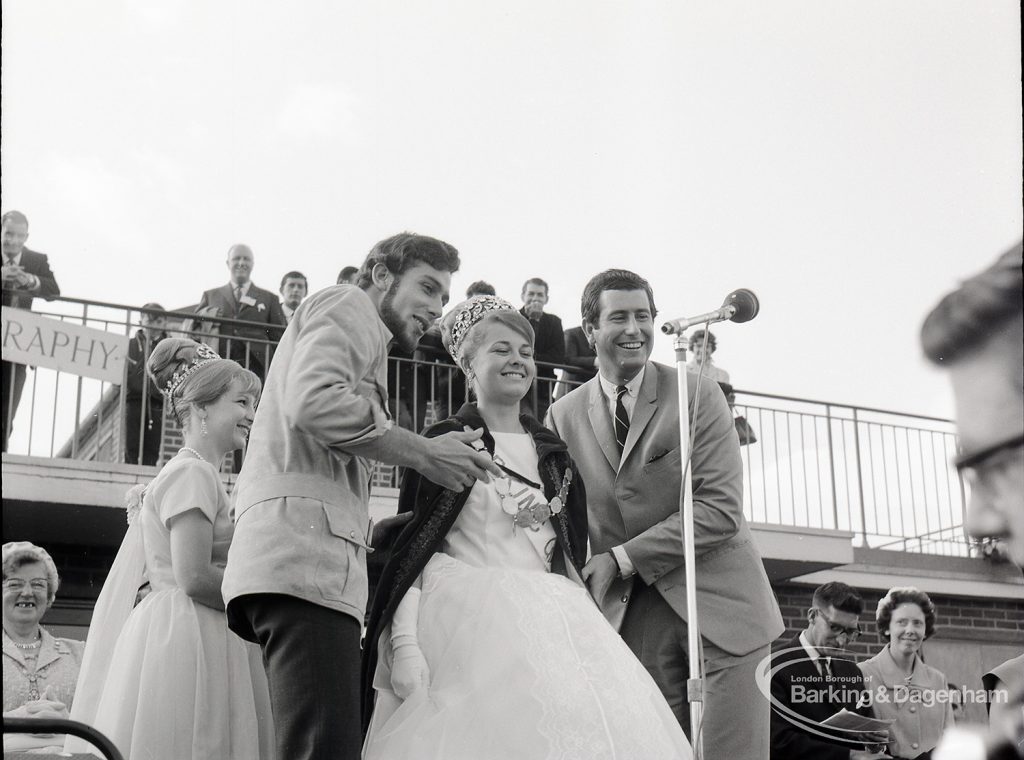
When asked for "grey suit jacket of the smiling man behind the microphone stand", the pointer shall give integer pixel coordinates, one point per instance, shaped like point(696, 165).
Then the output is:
point(636, 505)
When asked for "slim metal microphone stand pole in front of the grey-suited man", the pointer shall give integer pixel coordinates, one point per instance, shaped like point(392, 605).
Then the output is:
point(695, 685)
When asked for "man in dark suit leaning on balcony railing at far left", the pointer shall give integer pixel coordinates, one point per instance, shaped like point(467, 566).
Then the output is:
point(28, 274)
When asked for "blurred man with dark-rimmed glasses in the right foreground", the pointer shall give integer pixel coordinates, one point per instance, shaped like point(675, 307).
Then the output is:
point(977, 332)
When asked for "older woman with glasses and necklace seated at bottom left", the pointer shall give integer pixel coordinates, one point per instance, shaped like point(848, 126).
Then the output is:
point(39, 671)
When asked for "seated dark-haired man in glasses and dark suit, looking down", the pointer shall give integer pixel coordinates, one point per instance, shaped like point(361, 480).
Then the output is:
point(814, 680)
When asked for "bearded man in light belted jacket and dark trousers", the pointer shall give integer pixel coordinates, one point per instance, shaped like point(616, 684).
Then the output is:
point(296, 575)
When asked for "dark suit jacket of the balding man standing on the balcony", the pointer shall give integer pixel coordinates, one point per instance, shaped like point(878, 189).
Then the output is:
point(236, 340)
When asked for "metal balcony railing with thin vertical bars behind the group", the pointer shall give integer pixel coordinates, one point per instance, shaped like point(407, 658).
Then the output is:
point(883, 476)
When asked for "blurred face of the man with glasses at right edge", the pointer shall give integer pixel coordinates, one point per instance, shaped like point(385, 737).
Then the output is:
point(990, 412)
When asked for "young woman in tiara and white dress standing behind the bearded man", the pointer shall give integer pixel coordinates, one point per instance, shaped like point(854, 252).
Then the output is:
point(177, 683)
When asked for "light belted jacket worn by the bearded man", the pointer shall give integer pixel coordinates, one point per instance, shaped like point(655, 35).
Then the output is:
point(301, 503)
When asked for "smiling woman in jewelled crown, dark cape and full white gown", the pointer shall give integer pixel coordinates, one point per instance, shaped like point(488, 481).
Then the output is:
point(483, 641)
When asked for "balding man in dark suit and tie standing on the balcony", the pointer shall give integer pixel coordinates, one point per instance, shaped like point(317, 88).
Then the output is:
point(251, 347)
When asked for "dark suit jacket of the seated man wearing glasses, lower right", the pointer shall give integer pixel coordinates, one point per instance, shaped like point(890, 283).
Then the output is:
point(794, 687)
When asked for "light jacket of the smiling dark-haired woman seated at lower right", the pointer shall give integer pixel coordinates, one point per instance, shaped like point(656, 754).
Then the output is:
point(920, 705)
